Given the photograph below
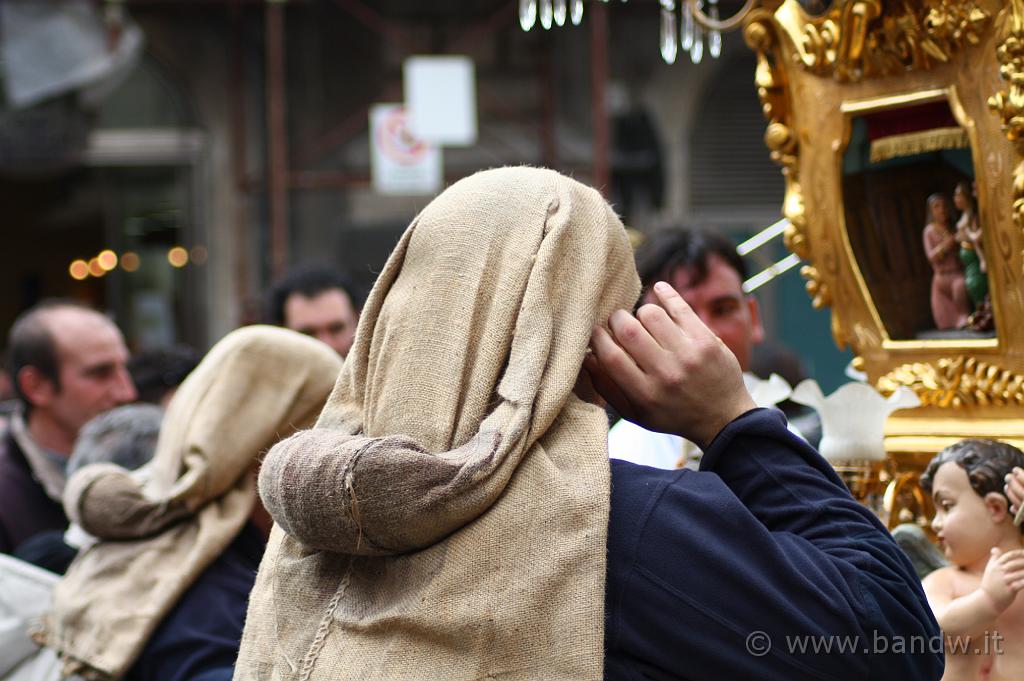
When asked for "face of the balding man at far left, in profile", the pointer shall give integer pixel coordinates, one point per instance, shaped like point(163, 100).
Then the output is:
point(92, 357)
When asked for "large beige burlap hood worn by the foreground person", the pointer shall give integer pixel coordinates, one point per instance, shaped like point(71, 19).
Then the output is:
point(447, 518)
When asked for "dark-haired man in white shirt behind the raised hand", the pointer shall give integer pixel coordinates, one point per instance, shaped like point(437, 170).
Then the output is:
point(708, 273)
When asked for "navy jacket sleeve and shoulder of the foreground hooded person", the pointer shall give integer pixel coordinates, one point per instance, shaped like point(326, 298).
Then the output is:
point(759, 568)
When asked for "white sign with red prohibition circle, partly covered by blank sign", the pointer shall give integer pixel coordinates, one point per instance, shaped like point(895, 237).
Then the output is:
point(401, 163)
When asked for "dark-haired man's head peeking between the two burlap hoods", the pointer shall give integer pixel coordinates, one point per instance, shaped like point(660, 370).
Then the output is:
point(317, 303)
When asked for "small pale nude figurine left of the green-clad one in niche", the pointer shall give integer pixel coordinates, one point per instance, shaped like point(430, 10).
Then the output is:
point(951, 305)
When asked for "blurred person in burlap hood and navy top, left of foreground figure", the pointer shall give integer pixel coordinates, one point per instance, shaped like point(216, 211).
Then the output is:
point(161, 593)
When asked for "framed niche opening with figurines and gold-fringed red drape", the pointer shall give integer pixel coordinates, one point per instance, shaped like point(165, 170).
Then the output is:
point(921, 259)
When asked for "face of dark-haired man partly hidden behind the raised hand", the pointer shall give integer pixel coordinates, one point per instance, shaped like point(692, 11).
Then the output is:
point(720, 303)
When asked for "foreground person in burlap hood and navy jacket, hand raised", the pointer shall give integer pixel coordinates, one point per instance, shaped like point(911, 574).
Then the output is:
point(448, 518)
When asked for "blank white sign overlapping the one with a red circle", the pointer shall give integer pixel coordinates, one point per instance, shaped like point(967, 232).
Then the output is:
point(441, 96)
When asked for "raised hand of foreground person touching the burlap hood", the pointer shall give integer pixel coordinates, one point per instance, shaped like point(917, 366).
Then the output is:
point(666, 371)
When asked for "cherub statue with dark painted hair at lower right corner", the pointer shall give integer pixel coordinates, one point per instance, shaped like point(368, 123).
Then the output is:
point(975, 599)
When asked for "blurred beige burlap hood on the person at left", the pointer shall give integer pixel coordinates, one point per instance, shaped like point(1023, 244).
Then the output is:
point(162, 526)
